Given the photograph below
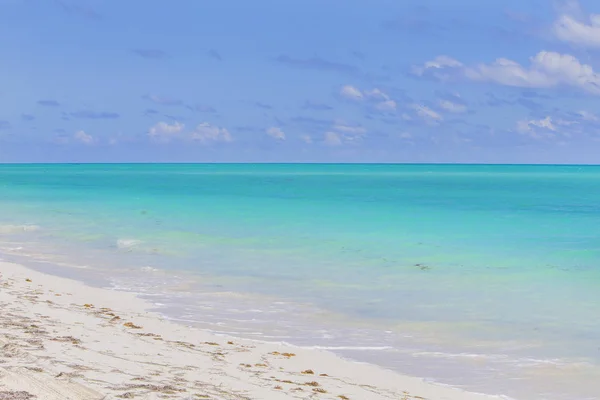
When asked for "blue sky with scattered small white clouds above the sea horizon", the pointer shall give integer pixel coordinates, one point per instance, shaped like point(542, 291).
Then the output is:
point(465, 81)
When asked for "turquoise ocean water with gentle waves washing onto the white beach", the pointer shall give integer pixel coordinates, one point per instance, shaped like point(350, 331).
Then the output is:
point(482, 277)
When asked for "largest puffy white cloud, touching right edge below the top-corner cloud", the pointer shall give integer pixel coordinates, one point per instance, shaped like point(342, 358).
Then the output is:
point(546, 69)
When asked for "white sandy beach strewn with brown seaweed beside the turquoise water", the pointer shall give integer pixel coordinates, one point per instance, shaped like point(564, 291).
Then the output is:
point(62, 339)
